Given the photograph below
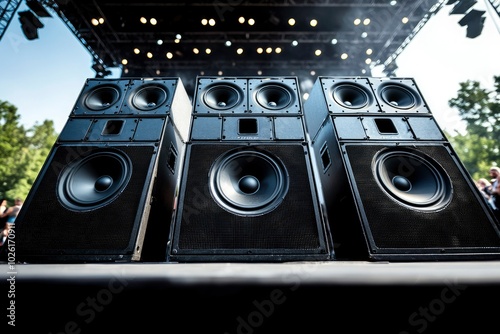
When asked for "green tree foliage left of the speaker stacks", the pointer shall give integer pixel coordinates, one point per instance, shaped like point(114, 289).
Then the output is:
point(23, 152)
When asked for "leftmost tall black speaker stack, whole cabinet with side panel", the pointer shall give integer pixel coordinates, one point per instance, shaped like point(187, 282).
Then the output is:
point(107, 190)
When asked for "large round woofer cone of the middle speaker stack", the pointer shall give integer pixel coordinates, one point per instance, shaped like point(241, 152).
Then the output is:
point(248, 182)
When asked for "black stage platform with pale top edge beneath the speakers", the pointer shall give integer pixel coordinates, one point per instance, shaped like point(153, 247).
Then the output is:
point(312, 297)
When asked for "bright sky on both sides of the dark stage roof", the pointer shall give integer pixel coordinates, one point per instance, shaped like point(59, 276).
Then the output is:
point(43, 77)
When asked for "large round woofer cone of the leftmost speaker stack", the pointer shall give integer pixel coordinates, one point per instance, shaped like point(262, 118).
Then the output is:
point(93, 181)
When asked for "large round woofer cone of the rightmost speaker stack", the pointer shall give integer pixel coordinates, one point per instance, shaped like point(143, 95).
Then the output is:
point(415, 180)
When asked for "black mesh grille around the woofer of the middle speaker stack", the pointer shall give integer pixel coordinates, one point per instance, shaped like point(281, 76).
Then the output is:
point(205, 225)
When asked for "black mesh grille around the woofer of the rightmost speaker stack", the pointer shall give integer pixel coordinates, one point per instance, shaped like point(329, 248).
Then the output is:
point(462, 224)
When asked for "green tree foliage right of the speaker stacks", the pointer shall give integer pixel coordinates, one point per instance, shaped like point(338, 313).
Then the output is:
point(479, 148)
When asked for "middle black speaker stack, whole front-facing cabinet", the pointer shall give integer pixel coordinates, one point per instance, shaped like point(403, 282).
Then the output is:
point(247, 191)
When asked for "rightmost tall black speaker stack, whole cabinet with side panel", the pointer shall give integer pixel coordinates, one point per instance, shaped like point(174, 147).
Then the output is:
point(393, 186)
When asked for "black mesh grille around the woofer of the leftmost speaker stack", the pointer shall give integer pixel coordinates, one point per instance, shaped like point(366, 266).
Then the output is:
point(48, 227)
